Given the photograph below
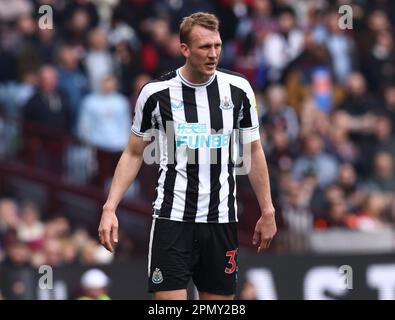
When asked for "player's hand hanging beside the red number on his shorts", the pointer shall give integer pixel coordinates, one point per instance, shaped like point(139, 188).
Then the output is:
point(265, 229)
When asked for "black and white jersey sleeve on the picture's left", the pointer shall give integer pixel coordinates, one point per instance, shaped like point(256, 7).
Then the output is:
point(144, 117)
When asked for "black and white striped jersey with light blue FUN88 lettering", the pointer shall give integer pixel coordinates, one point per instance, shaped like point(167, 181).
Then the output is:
point(196, 126)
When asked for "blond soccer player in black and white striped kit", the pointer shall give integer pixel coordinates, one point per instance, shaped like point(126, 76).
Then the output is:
point(195, 110)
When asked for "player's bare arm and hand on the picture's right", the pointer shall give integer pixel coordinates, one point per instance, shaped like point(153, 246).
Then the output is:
point(265, 228)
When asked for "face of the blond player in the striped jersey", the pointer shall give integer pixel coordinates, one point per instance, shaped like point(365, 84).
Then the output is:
point(202, 52)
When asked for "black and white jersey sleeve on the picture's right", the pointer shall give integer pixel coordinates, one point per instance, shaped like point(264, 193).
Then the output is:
point(248, 117)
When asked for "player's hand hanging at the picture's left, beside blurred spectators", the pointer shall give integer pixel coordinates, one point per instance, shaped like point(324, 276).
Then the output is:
point(108, 230)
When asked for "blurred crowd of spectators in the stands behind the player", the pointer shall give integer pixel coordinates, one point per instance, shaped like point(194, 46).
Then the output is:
point(325, 95)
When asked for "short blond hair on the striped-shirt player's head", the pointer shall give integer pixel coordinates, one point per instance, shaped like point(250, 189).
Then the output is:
point(206, 20)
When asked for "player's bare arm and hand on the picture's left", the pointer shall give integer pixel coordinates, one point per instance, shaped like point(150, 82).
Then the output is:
point(128, 166)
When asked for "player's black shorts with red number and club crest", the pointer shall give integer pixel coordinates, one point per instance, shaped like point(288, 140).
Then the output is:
point(205, 252)
